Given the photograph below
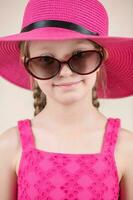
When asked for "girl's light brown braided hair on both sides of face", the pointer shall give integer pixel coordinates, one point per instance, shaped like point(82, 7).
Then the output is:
point(40, 100)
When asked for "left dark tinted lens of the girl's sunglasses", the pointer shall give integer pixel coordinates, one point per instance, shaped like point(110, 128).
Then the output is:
point(43, 67)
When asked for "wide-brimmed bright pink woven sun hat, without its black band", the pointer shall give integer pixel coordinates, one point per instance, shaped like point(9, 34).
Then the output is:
point(70, 19)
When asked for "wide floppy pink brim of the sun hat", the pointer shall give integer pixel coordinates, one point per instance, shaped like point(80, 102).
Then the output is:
point(118, 66)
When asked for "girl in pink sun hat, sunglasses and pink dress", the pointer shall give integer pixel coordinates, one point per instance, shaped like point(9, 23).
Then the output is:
point(68, 150)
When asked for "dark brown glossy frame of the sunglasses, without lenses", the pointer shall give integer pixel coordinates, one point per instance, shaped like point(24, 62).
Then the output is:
point(99, 51)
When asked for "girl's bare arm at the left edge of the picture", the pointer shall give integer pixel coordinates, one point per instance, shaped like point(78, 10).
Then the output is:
point(8, 178)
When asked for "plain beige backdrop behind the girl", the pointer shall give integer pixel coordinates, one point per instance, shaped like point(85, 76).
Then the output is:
point(17, 103)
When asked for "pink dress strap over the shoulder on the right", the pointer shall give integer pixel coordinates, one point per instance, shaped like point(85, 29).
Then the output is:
point(111, 135)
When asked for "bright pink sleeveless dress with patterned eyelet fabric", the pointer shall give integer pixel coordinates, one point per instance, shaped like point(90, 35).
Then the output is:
point(46, 175)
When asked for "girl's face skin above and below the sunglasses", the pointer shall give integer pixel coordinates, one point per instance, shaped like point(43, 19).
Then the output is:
point(63, 50)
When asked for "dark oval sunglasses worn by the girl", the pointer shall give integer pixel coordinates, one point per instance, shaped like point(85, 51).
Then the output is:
point(46, 67)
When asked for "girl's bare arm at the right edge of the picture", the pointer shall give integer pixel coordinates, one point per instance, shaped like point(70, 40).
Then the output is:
point(126, 184)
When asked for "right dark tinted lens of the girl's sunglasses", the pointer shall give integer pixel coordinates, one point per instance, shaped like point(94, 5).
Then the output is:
point(85, 62)
